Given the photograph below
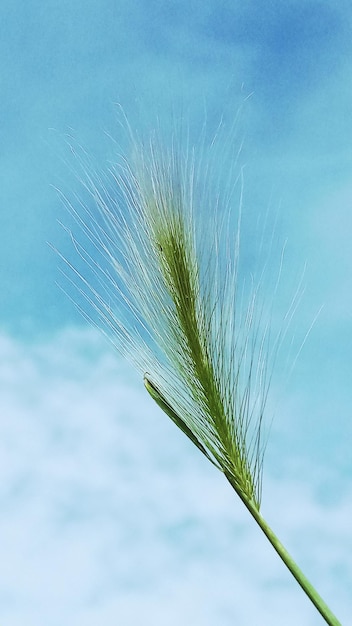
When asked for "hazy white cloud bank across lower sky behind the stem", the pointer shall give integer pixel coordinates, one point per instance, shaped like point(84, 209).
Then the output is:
point(108, 515)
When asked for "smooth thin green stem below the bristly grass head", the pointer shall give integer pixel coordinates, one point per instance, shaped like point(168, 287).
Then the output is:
point(292, 566)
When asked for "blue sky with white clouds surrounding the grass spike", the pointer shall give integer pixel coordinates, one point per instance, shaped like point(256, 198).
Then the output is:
point(107, 514)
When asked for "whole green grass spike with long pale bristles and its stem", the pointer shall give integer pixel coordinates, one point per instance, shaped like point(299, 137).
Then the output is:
point(162, 276)
